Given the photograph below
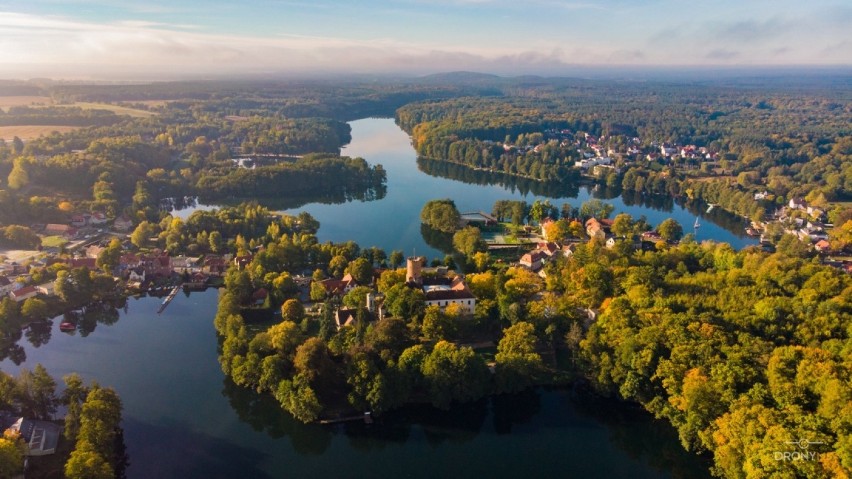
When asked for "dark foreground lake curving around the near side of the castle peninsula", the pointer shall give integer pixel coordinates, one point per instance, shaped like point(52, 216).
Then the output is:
point(183, 419)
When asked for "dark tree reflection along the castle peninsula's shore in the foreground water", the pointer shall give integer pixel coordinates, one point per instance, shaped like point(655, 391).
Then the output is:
point(629, 429)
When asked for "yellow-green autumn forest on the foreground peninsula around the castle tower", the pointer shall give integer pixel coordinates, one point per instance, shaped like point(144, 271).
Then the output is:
point(739, 350)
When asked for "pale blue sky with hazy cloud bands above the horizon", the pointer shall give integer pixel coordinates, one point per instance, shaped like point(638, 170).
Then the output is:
point(155, 39)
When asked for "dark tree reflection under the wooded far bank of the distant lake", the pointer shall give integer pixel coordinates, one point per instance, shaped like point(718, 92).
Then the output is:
point(524, 186)
